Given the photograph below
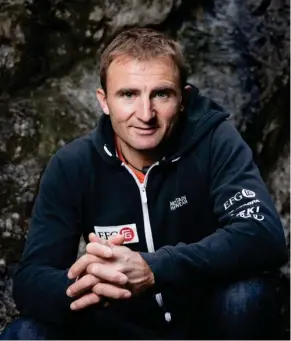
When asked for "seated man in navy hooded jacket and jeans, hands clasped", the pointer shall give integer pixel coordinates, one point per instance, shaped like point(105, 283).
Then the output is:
point(180, 228)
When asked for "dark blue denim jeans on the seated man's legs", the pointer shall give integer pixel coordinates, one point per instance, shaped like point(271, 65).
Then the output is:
point(243, 310)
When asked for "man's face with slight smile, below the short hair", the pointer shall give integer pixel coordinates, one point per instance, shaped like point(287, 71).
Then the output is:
point(143, 100)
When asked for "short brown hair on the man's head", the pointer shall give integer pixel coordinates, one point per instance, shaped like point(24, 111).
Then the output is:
point(142, 44)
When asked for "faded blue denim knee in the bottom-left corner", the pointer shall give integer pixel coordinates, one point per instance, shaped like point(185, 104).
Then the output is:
point(24, 329)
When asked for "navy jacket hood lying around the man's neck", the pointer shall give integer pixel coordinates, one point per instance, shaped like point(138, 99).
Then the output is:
point(201, 115)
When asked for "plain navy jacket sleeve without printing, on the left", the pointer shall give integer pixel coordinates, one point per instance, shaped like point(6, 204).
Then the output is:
point(41, 281)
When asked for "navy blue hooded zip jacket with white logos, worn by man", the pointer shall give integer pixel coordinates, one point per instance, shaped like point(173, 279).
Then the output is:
point(203, 212)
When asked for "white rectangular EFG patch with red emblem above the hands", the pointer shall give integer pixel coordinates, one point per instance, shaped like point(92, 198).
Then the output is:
point(129, 231)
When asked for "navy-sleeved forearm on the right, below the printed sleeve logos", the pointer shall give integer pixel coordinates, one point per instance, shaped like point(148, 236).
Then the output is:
point(230, 251)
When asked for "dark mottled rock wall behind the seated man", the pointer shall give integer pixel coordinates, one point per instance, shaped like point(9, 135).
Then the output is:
point(237, 53)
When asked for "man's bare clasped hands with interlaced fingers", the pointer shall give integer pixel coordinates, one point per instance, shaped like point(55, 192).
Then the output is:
point(109, 270)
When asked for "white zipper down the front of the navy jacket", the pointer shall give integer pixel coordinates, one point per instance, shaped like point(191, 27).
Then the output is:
point(147, 226)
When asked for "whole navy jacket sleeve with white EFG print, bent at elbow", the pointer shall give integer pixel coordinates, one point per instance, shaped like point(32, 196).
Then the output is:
point(249, 236)
